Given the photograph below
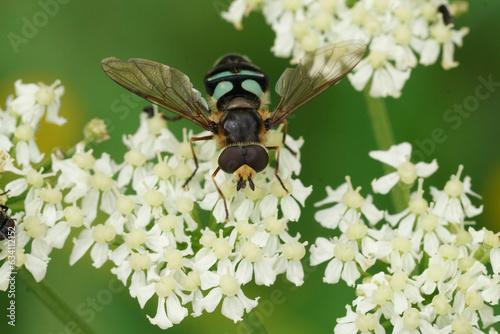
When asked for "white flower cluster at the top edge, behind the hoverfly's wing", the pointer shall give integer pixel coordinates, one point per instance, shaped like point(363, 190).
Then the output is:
point(400, 33)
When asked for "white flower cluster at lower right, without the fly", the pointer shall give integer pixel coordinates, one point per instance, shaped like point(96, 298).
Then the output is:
point(422, 270)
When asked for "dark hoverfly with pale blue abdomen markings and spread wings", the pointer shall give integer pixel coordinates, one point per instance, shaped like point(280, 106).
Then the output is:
point(239, 118)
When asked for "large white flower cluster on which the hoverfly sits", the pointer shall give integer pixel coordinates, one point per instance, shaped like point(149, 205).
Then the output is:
point(165, 243)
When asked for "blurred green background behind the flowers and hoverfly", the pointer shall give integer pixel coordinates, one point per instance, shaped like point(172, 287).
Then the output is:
point(190, 35)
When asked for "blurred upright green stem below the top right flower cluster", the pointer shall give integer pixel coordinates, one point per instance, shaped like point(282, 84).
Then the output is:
point(384, 137)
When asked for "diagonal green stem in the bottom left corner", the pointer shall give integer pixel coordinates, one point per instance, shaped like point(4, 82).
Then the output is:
point(54, 303)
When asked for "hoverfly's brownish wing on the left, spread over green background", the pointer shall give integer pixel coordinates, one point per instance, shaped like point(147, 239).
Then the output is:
point(162, 85)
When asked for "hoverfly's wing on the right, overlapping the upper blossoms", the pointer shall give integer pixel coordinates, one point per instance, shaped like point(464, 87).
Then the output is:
point(314, 73)
